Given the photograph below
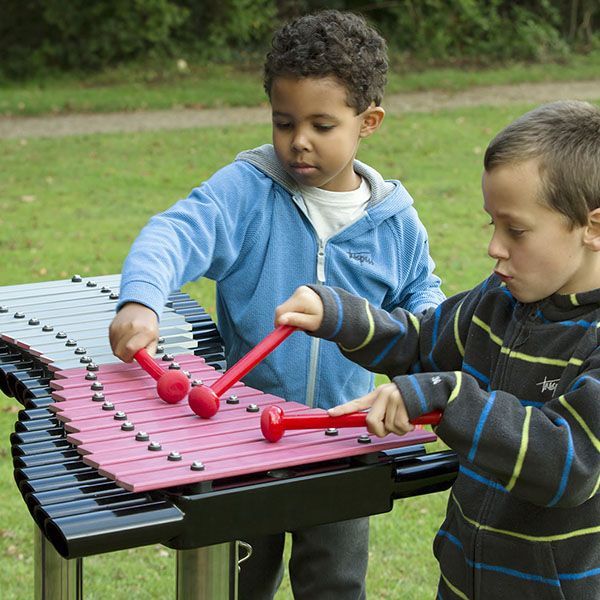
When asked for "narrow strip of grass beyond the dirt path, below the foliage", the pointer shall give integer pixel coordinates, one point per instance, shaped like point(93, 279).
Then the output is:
point(139, 87)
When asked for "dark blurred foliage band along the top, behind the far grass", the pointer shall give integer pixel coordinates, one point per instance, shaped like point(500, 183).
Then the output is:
point(41, 35)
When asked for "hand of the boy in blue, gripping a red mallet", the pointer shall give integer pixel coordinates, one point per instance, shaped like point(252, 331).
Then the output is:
point(134, 327)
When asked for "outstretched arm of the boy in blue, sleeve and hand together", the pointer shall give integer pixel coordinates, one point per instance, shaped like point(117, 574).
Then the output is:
point(202, 235)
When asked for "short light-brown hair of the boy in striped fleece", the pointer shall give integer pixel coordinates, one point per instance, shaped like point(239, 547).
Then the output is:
point(565, 138)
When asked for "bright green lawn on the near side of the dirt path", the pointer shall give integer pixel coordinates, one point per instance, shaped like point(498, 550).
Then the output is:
point(75, 204)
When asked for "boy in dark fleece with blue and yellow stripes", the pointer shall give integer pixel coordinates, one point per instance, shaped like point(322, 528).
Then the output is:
point(514, 364)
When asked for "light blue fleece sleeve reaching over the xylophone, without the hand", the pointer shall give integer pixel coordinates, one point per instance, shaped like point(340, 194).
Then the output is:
point(200, 235)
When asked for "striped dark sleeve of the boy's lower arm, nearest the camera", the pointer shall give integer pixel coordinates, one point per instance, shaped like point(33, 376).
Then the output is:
point(547, 455)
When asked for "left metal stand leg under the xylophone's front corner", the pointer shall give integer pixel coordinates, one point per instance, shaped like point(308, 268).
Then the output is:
point(56, 578)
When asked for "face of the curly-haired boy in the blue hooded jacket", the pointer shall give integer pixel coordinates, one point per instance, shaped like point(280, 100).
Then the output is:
point(316, 134)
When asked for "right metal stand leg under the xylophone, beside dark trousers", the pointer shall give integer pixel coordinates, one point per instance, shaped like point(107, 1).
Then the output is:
point(207, 573)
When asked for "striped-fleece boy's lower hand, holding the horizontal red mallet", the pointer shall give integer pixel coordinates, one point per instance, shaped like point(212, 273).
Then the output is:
point(387, 415)
